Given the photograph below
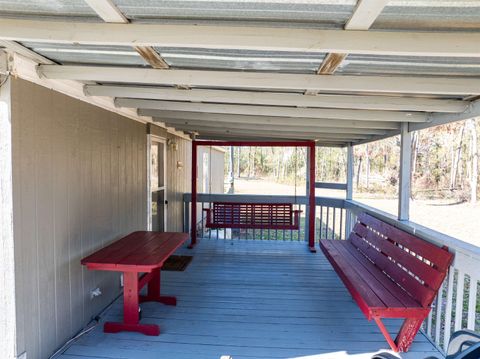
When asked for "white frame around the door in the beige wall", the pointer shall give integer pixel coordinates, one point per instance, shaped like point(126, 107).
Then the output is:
point(150, 140)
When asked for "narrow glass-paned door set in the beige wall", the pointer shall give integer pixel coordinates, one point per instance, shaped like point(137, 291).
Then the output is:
point(158, 185)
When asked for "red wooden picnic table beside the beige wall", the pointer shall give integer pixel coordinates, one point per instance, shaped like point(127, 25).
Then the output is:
point(139, 252)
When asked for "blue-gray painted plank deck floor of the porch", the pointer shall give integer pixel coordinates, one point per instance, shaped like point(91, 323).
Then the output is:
point(249, 299)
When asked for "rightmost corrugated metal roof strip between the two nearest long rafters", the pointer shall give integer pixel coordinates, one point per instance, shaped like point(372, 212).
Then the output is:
point(411, 65)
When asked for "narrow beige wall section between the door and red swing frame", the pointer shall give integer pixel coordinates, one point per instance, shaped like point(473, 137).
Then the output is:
point(178, 180)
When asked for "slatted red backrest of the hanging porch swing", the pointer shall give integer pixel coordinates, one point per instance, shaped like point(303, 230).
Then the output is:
point(253, 213)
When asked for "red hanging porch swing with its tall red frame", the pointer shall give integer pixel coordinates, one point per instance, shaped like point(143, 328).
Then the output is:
point(281, 216)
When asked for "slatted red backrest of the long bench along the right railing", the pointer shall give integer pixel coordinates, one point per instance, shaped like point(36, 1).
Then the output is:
point(418, 266)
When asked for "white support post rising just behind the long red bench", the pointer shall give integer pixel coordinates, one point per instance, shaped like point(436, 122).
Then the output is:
point(405, 173)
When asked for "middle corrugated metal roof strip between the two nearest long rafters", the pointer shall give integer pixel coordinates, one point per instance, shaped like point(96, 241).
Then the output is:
point(295, 62)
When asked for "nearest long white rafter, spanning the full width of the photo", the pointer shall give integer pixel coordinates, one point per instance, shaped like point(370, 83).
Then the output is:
point(405, 43)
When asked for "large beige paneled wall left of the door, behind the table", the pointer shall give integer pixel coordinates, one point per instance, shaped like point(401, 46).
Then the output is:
point(79, 175)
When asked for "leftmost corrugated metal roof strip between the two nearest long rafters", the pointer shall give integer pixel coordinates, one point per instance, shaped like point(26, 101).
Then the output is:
point(88, 54)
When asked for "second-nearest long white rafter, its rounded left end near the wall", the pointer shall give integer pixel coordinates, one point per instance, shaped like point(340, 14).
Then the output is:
point(261, 81)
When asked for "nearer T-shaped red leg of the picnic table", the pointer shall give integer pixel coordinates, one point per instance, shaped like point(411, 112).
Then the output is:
point(131, 310)
